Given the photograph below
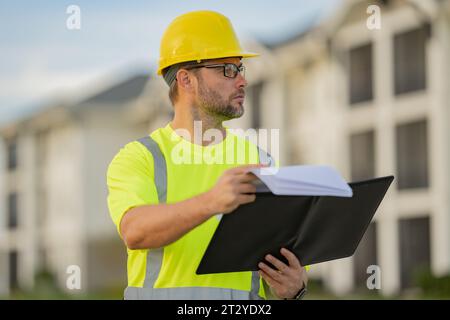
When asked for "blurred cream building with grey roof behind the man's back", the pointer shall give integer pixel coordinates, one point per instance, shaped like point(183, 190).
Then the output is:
point(53, 189)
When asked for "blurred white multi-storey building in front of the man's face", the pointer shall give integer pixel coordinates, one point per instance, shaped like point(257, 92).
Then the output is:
point(371, 103)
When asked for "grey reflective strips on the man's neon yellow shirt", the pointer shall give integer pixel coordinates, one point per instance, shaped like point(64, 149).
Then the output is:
point(155, 256)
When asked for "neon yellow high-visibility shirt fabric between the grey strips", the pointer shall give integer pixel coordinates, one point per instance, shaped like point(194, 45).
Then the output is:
point(192, 169)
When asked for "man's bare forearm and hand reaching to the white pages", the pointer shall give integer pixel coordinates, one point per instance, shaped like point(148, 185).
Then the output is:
point(157, 225)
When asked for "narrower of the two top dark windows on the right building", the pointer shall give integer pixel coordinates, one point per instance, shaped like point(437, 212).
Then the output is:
point(361, 74)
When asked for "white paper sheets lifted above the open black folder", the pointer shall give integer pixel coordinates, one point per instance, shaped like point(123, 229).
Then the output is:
point(303, 180)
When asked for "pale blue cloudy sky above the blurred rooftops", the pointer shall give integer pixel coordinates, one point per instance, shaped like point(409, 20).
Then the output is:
point(43, 62)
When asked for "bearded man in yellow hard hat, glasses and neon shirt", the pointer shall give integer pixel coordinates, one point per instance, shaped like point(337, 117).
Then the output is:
point(166, 211)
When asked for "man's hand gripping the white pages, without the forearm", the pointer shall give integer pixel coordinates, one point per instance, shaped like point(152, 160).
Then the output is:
point(233, 188)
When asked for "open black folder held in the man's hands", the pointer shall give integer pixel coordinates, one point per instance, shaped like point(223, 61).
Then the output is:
point(315, 228)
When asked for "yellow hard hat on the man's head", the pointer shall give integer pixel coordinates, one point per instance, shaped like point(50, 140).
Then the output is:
point(197, 36)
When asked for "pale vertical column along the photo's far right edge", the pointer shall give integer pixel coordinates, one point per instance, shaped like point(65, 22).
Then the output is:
point(438, 83)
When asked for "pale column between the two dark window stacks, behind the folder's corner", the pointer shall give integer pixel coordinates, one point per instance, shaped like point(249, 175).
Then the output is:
point(385, 161)
